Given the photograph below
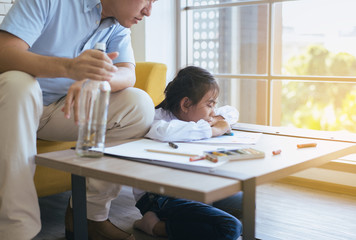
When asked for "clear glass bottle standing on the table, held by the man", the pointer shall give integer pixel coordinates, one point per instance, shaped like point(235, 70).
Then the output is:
point(93, 108)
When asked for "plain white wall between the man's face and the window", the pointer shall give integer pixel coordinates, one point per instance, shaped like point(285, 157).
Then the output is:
point(154, 39)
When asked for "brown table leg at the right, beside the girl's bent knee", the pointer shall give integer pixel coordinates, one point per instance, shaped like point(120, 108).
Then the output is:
point(249, 208)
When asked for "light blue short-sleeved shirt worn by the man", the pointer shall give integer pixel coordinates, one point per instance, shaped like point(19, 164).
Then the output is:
point(65, 28)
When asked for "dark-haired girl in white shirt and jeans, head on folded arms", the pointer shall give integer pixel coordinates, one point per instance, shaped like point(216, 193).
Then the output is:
point(188, 113)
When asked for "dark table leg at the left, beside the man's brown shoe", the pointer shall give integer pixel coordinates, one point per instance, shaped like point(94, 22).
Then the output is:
point(80, 226)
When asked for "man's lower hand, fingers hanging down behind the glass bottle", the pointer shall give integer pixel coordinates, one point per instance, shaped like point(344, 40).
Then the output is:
point(72, 100)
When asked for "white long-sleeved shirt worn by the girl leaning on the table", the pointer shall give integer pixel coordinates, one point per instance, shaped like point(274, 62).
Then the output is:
point(166, 127)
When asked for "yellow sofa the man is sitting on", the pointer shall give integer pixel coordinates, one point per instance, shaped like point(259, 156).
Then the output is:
point(150, 77)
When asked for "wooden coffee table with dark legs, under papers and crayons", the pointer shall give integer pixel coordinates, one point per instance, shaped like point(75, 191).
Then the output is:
point(206, 185)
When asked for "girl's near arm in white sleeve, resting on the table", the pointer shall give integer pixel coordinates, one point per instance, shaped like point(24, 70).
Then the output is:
point(177, 130)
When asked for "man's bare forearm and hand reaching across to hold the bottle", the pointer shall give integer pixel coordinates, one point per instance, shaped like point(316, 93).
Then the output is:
point(14, 55)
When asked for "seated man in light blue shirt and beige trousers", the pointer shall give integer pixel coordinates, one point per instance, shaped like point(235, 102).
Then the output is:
point(45, 55)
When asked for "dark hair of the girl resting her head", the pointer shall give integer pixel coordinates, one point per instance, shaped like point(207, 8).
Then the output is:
point(192, 82)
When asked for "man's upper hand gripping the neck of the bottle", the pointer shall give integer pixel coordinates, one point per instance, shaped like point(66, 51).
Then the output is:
point(92, 64)
